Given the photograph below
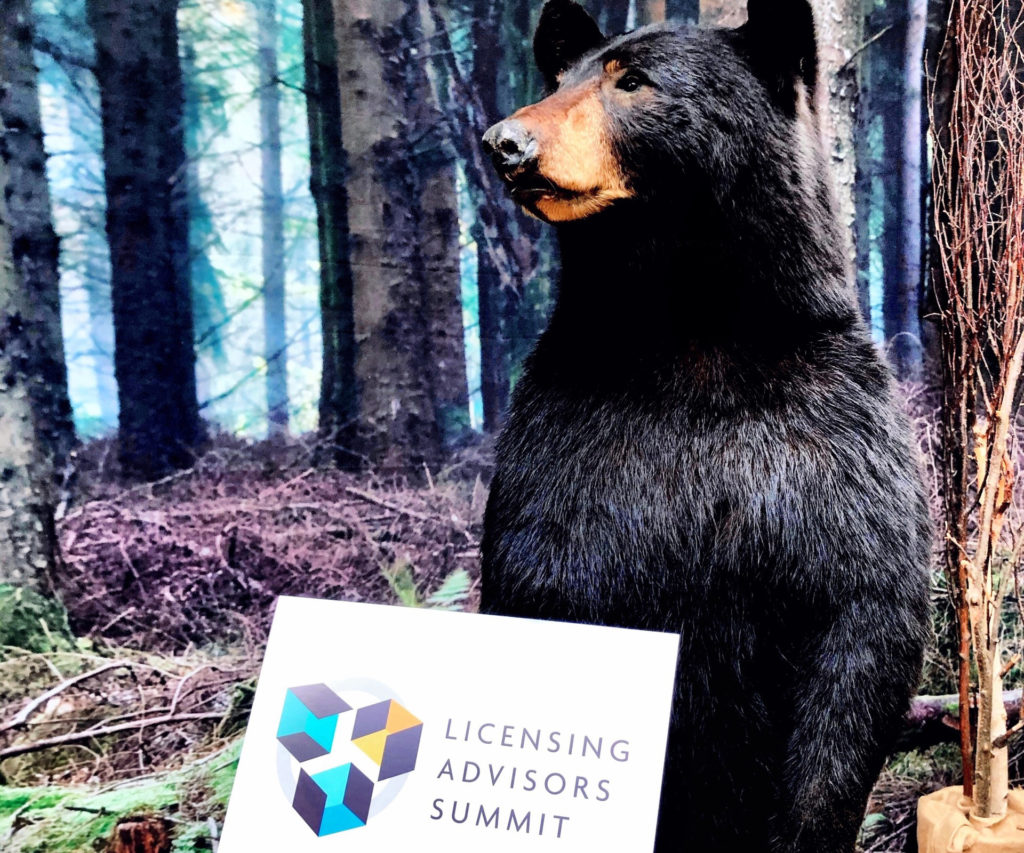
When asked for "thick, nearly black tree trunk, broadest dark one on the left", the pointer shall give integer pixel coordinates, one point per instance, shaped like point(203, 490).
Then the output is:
point(140, 76)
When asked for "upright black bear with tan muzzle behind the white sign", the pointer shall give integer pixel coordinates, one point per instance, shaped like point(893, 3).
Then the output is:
point(705, 440)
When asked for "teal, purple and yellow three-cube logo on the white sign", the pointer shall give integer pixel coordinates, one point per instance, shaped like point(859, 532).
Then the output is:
point(347, 762)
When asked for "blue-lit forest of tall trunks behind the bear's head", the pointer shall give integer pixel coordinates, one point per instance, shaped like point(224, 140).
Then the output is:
point(247, 246)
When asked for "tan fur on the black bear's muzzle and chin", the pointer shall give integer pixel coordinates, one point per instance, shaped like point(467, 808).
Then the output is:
point(571, 129)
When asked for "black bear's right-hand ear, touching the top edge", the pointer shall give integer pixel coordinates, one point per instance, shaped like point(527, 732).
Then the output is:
point(783, 42)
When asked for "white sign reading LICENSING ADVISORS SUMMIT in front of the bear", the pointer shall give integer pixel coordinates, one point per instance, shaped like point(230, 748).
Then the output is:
point(379, 729)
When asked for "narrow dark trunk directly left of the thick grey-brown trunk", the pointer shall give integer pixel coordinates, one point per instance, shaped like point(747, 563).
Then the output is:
point(339, 402)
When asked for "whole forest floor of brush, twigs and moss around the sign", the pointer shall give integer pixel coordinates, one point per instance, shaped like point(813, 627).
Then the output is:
point(126, 721)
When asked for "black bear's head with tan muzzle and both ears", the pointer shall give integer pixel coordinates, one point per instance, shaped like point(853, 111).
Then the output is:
point(669, 113)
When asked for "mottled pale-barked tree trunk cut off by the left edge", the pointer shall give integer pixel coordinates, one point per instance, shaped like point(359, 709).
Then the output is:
point(28, 542)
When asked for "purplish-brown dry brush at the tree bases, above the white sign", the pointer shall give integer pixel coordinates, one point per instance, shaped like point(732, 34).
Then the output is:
point(200, 558)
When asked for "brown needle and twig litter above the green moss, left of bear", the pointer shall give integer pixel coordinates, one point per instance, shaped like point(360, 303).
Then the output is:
point(170, 588)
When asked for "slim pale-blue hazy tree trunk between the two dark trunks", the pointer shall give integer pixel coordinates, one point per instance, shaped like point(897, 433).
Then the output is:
point(275, 337)
